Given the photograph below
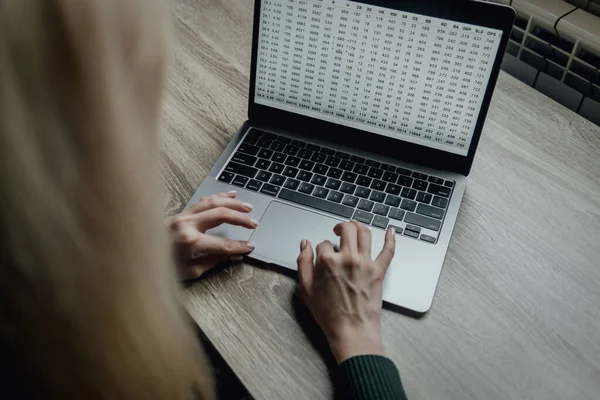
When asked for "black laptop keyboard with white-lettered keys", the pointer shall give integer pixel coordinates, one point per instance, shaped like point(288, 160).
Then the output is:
point(338, 183)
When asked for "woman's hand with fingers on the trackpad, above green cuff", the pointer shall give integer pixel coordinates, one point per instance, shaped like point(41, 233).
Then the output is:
point(343, 290)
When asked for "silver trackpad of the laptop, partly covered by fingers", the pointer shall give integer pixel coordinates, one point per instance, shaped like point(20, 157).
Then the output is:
point(283, 227)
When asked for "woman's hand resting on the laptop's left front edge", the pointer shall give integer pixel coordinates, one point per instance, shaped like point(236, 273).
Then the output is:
point(198, 252)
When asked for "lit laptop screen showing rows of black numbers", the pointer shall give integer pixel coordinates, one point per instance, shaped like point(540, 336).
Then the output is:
point(407, 76)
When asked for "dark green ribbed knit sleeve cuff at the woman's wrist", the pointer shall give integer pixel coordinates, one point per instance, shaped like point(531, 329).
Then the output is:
point(370, 377)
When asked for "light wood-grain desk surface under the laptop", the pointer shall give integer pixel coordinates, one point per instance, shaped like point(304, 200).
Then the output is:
point(517, 312)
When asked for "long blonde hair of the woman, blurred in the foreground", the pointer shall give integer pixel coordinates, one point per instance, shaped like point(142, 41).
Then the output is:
point(88, 293)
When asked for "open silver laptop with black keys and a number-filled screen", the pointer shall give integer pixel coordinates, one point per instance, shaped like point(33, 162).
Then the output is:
point(365, 110)
